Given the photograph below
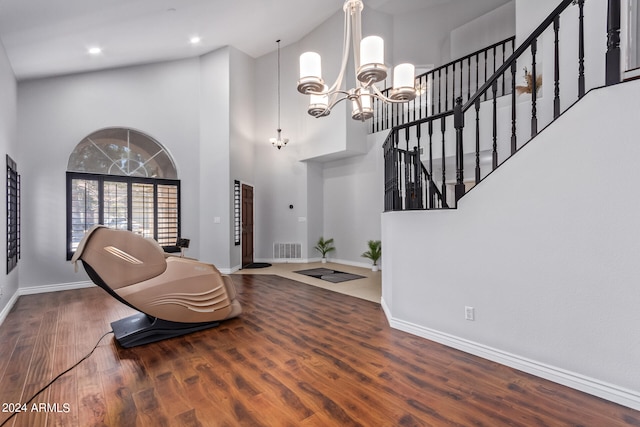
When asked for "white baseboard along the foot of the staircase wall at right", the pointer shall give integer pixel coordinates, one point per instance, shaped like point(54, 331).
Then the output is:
point(604, 390)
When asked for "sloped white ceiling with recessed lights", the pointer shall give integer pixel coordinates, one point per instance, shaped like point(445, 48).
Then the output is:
point(51, 37)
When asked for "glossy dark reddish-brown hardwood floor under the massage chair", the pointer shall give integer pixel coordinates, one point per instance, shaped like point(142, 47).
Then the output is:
point(297, 356)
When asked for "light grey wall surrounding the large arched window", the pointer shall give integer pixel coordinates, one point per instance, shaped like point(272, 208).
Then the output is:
point(55, 114)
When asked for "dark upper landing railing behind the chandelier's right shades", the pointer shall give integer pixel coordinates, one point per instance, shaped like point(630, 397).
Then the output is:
point(439, 87)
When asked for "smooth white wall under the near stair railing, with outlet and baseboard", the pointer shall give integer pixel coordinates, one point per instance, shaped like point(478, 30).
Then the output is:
point(548, 260)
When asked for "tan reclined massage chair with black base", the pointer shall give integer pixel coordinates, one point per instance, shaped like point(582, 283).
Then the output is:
point(175, 295)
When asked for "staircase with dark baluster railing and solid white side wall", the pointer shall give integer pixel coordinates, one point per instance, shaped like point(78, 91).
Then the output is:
point(545, 251)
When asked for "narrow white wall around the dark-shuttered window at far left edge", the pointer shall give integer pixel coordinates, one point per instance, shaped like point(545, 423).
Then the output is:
point(8, 145)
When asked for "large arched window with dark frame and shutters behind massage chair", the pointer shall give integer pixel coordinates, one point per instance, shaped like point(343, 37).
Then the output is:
point(123, 179)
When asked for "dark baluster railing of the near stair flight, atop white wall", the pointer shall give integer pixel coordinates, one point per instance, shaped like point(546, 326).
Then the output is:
point(495, 115)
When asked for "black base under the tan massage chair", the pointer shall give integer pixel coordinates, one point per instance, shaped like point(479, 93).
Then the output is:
point(140, 329)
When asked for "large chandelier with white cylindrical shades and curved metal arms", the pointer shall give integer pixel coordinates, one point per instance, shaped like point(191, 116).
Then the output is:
point(368, 55)
